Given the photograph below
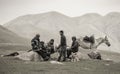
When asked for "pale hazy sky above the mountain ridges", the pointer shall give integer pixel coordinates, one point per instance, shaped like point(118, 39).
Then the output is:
point(10, 9)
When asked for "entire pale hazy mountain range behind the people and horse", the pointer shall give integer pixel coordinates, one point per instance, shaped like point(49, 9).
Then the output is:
point(48, 26)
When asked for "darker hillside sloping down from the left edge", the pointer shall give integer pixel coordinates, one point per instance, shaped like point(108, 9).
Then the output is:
point(7, 36)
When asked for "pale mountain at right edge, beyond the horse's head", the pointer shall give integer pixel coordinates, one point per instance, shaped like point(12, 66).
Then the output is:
point(112, 26)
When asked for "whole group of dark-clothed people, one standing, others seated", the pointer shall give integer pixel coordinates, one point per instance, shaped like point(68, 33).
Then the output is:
point(45, 51)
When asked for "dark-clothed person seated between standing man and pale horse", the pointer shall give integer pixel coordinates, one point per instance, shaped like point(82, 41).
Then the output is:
point(74, 47)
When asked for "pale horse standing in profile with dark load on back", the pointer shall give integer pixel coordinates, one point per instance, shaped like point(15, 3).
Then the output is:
point(98, 42)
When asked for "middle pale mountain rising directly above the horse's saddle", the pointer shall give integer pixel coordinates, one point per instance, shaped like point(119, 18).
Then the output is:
point(86, 24)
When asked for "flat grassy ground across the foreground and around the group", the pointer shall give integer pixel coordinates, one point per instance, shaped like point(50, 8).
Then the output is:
point(10, 65)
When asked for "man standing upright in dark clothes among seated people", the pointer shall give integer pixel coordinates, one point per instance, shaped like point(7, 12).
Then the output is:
point(62, 46)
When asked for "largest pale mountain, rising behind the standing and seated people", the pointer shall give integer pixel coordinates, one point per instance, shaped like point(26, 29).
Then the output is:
point(47, 25)
